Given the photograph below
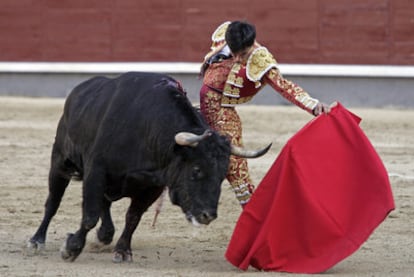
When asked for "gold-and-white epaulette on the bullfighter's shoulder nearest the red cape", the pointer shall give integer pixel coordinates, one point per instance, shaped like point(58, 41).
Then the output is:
point(259, 63)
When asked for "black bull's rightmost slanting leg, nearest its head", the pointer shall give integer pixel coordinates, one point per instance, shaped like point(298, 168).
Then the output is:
point(139, 204)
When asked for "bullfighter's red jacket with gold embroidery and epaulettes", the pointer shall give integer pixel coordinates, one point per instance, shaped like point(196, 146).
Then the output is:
point(240, 82)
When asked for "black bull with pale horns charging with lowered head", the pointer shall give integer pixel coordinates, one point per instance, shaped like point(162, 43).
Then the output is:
point(122, 137)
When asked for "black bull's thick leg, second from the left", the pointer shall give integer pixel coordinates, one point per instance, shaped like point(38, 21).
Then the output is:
point(91, 210)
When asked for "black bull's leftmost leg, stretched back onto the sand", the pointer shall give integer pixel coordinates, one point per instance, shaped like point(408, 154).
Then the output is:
point(57, 186)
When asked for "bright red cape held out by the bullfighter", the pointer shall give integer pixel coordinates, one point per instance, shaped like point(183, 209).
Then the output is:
point(322, 198)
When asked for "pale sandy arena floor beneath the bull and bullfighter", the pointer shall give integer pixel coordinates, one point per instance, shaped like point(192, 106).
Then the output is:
point(174, 247)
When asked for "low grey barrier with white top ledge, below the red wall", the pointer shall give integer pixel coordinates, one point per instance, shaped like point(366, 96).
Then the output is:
point(353, 85)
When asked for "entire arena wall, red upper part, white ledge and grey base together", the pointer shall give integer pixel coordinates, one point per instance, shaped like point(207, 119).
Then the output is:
point(358, 52)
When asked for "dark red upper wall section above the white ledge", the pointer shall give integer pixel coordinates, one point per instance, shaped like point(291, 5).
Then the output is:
point(296, 31)
